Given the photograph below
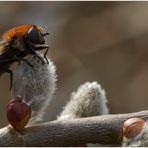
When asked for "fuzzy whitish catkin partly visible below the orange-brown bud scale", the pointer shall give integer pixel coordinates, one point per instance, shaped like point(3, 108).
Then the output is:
point(141, 140)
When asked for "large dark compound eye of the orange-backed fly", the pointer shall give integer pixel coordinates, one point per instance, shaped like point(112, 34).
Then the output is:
point(35, 36)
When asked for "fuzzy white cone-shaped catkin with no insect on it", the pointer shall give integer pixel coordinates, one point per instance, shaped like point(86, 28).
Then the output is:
point(89, 100)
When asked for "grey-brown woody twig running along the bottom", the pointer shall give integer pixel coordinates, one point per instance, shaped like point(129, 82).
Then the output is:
point(105, 129)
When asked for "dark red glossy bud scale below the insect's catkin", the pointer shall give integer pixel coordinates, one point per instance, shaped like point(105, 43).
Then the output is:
point(18, 113)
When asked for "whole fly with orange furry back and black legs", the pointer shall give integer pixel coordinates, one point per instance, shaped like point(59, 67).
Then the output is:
point(20, 41)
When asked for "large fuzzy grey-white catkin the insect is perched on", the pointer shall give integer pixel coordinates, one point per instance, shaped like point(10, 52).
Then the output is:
point(35, 85)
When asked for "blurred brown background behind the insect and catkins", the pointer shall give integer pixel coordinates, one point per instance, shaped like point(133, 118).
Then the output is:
point(89, 41)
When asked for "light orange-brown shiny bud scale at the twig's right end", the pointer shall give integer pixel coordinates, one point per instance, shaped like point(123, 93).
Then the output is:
point(132, 127)
